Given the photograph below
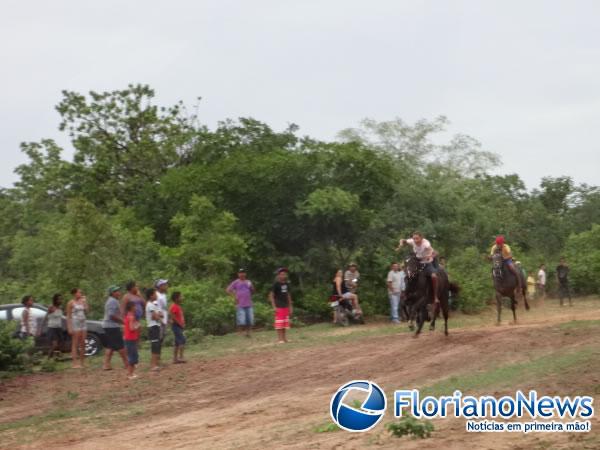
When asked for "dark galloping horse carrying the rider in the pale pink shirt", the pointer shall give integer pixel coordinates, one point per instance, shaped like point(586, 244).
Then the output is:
point(419, 294)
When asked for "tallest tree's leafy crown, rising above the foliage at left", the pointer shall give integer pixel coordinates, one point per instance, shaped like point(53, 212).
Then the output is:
point(123, 142)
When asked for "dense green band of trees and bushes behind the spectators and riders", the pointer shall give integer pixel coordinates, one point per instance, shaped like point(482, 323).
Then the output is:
point(152, 193)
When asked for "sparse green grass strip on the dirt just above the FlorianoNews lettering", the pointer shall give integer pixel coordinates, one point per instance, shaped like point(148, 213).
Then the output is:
point(509, 375)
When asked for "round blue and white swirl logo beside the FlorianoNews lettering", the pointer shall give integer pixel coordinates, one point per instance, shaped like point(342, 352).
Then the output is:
point(363, 418)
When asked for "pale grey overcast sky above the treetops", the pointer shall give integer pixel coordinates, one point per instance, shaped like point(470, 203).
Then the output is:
point(521, 76)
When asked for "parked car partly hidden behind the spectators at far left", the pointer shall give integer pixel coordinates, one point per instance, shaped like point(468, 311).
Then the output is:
point(95, 332)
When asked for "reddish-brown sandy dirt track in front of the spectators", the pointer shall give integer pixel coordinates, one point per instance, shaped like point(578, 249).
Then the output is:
point(277, 397)
